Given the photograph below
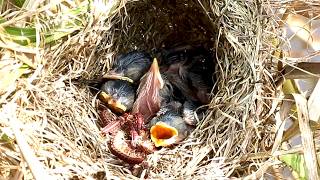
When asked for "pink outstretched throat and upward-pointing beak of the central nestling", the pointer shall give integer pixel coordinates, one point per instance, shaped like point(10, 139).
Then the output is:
point(148, 99)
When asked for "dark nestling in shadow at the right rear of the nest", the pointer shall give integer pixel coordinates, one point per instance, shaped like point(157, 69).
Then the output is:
point(190, 70)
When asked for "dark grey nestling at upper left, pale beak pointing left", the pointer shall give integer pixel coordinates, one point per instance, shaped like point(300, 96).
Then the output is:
point(131, 66)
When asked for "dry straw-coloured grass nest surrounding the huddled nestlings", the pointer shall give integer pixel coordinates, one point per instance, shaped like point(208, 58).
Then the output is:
point(58, 116)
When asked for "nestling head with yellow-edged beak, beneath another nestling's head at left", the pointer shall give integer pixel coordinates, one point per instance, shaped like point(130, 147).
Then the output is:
point(118, 95)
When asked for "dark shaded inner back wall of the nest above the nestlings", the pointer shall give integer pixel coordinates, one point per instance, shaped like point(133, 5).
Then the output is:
point(151, 25)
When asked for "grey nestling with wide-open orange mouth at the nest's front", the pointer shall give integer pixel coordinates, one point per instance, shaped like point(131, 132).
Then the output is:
point(172, 125)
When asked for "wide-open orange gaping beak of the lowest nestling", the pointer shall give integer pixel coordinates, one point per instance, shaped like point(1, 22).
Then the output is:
point(163, 134)
